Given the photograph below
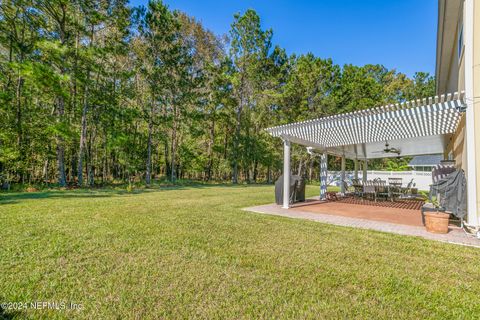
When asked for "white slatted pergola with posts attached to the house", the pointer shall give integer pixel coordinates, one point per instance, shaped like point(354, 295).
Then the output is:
point(417, 127)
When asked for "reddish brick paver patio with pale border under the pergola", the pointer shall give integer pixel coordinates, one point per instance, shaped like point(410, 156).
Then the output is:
point(361, 216)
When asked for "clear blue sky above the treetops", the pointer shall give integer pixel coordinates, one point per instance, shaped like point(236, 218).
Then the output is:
point(399, 34)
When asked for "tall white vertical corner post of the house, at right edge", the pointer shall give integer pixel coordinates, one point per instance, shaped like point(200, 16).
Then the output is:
point(472, 207)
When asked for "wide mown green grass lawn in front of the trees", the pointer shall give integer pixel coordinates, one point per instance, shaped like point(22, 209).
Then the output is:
point(191, 252)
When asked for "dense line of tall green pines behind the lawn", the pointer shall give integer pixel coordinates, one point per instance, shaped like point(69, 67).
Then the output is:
point(95, 92)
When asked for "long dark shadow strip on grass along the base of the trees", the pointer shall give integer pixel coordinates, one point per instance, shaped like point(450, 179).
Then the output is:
point(15, 197)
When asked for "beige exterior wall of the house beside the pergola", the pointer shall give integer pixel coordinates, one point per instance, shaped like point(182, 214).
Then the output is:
point(460, 71)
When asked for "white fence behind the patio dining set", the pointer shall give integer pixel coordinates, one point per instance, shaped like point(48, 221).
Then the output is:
point(422, 179)
